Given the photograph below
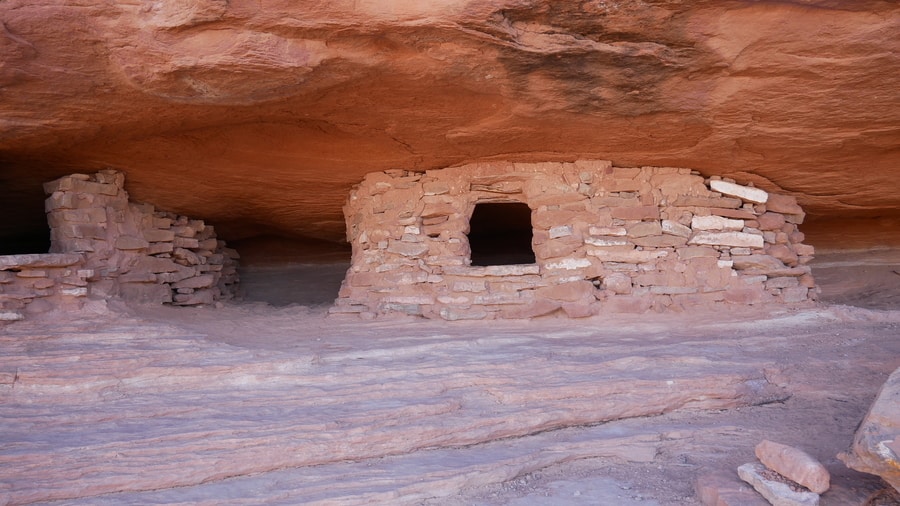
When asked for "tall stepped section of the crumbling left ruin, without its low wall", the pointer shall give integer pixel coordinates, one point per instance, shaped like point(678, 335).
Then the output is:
point(139, 253)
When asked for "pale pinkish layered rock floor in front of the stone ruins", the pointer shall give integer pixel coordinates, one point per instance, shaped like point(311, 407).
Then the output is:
point(265, 402)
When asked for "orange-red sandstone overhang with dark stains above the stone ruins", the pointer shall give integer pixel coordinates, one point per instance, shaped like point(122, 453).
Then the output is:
point(259, 116)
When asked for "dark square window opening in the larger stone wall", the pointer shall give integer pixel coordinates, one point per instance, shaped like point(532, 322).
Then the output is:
point(501, 234)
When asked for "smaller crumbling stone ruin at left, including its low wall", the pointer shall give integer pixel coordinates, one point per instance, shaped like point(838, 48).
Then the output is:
point(105, 246)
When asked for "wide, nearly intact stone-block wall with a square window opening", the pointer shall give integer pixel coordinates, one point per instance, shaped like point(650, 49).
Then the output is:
point(597, 239)
